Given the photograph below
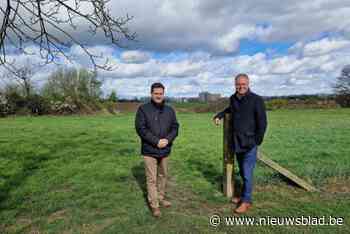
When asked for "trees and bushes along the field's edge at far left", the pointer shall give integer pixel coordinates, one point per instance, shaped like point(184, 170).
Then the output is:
point(65, 91)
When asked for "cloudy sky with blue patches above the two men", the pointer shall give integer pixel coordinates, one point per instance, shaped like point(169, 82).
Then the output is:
point(286, 47)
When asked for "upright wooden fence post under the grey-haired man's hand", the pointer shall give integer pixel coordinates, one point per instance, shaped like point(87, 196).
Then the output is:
point(228, 160)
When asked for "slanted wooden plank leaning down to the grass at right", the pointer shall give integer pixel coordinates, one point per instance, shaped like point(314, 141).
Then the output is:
point(302, 183)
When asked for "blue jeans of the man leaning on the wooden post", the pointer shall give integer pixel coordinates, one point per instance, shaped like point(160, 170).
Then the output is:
point(246, 164)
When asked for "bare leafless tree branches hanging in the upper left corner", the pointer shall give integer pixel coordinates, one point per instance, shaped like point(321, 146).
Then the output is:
point(48, 25)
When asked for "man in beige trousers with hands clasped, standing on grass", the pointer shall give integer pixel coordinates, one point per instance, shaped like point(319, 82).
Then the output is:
point(157, 127)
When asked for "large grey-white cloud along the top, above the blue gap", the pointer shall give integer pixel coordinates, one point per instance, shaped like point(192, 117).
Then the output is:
point(218, 26)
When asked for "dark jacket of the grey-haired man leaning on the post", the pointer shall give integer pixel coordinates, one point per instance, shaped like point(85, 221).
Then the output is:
point(249, 121)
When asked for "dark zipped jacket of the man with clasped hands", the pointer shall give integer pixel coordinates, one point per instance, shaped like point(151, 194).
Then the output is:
point(154, 122)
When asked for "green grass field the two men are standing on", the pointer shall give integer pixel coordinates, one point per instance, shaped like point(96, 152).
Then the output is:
point(85, 175)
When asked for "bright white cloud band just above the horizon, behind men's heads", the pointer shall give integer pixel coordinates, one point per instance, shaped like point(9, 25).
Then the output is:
point(283, 75)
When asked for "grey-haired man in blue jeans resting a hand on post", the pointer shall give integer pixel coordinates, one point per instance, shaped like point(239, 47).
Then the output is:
point(248, 128)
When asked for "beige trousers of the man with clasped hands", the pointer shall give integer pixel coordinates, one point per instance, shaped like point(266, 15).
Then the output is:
point(156, 171)
